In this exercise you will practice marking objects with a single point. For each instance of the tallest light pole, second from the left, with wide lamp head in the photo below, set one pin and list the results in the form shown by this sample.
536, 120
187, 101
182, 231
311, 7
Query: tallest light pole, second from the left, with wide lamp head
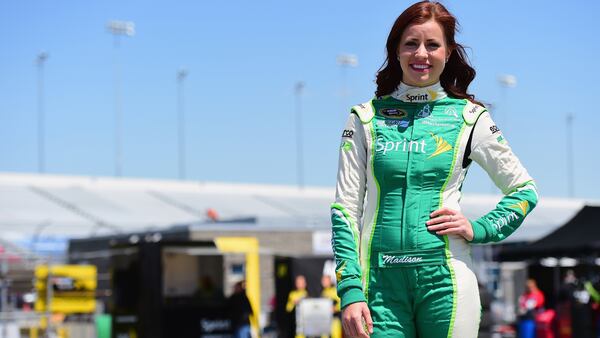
117, 29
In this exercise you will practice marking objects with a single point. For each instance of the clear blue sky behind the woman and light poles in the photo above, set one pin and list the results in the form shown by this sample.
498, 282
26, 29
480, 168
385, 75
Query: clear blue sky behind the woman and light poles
244, 58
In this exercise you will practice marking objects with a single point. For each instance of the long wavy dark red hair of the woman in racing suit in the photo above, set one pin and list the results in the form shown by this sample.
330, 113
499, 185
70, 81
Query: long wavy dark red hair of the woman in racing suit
457, 74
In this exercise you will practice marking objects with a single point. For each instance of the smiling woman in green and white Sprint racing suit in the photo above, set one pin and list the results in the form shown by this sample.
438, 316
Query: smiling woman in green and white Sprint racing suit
400, 240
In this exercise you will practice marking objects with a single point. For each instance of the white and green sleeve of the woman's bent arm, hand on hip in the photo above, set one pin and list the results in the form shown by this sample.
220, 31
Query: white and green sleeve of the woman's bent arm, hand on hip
491, 151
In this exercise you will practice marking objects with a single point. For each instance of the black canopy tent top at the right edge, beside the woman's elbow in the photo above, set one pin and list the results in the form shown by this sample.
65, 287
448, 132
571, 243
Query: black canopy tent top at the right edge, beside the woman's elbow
578, 238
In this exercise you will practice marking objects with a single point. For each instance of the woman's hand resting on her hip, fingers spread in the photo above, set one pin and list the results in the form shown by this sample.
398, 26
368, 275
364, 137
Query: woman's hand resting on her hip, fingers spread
450, 222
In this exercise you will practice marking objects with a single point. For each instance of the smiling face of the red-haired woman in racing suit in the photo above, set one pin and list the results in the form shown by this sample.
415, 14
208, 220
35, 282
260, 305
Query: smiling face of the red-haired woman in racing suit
422, 53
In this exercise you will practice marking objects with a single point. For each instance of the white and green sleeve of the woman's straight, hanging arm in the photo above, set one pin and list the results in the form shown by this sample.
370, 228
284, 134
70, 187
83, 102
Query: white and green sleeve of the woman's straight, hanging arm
346, 212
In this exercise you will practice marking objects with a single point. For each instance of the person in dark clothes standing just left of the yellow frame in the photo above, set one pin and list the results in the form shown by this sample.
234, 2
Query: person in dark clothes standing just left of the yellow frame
240, 311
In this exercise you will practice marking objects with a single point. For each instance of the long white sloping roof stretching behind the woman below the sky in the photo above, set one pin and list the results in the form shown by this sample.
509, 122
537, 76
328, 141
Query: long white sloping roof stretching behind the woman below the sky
33, 205
